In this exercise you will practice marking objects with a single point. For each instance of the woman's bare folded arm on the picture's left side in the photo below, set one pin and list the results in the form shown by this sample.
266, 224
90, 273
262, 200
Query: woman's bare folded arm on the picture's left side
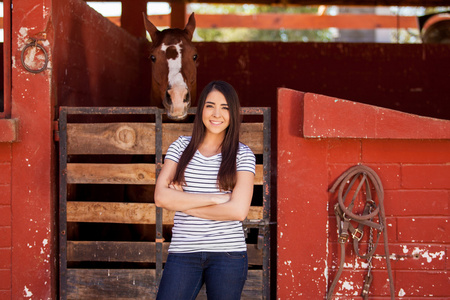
173, 199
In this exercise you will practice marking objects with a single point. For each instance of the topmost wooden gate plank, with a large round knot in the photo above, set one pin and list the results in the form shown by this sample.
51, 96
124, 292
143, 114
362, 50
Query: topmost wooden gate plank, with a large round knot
139, 138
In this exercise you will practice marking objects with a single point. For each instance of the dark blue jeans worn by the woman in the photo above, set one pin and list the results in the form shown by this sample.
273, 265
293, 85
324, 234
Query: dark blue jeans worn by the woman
224, 274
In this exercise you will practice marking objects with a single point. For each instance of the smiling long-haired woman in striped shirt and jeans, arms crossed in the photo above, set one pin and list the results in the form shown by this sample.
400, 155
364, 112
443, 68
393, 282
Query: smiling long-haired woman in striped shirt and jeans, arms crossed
208, 180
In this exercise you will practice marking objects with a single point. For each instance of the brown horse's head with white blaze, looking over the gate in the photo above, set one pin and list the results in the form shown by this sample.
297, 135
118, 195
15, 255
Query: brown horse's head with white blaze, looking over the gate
174, 67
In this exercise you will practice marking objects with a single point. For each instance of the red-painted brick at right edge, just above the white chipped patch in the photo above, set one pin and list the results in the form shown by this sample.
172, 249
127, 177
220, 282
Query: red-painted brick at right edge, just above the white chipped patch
423, 229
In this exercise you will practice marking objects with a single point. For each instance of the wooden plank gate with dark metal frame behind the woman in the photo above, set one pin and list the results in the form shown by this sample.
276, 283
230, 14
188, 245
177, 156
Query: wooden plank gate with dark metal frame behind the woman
98, 147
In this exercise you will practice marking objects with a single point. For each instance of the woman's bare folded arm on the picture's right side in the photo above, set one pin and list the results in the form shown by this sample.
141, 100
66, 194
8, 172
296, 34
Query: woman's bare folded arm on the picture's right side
235, 209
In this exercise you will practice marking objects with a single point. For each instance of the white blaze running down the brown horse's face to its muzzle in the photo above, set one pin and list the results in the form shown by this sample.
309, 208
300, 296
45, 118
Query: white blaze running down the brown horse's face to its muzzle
176, 100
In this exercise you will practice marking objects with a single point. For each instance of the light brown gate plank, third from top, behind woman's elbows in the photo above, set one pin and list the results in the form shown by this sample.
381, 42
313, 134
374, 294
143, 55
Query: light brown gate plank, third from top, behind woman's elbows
127, 213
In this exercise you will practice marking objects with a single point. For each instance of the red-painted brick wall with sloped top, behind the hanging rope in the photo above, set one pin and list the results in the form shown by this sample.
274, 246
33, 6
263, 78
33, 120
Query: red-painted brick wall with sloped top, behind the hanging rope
319, 138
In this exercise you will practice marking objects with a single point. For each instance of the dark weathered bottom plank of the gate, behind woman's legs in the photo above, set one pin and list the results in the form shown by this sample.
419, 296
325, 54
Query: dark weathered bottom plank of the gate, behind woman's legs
134, 284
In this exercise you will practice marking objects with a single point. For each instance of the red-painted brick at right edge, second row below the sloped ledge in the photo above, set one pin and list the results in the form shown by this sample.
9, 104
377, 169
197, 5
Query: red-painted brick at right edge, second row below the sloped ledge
426, 176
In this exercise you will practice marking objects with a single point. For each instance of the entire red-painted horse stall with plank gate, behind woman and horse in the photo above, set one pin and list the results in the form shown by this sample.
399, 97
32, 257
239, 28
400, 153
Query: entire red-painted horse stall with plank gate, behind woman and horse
77, 95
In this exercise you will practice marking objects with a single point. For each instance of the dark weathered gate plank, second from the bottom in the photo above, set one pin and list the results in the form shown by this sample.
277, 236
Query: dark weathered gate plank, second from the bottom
136, 252
